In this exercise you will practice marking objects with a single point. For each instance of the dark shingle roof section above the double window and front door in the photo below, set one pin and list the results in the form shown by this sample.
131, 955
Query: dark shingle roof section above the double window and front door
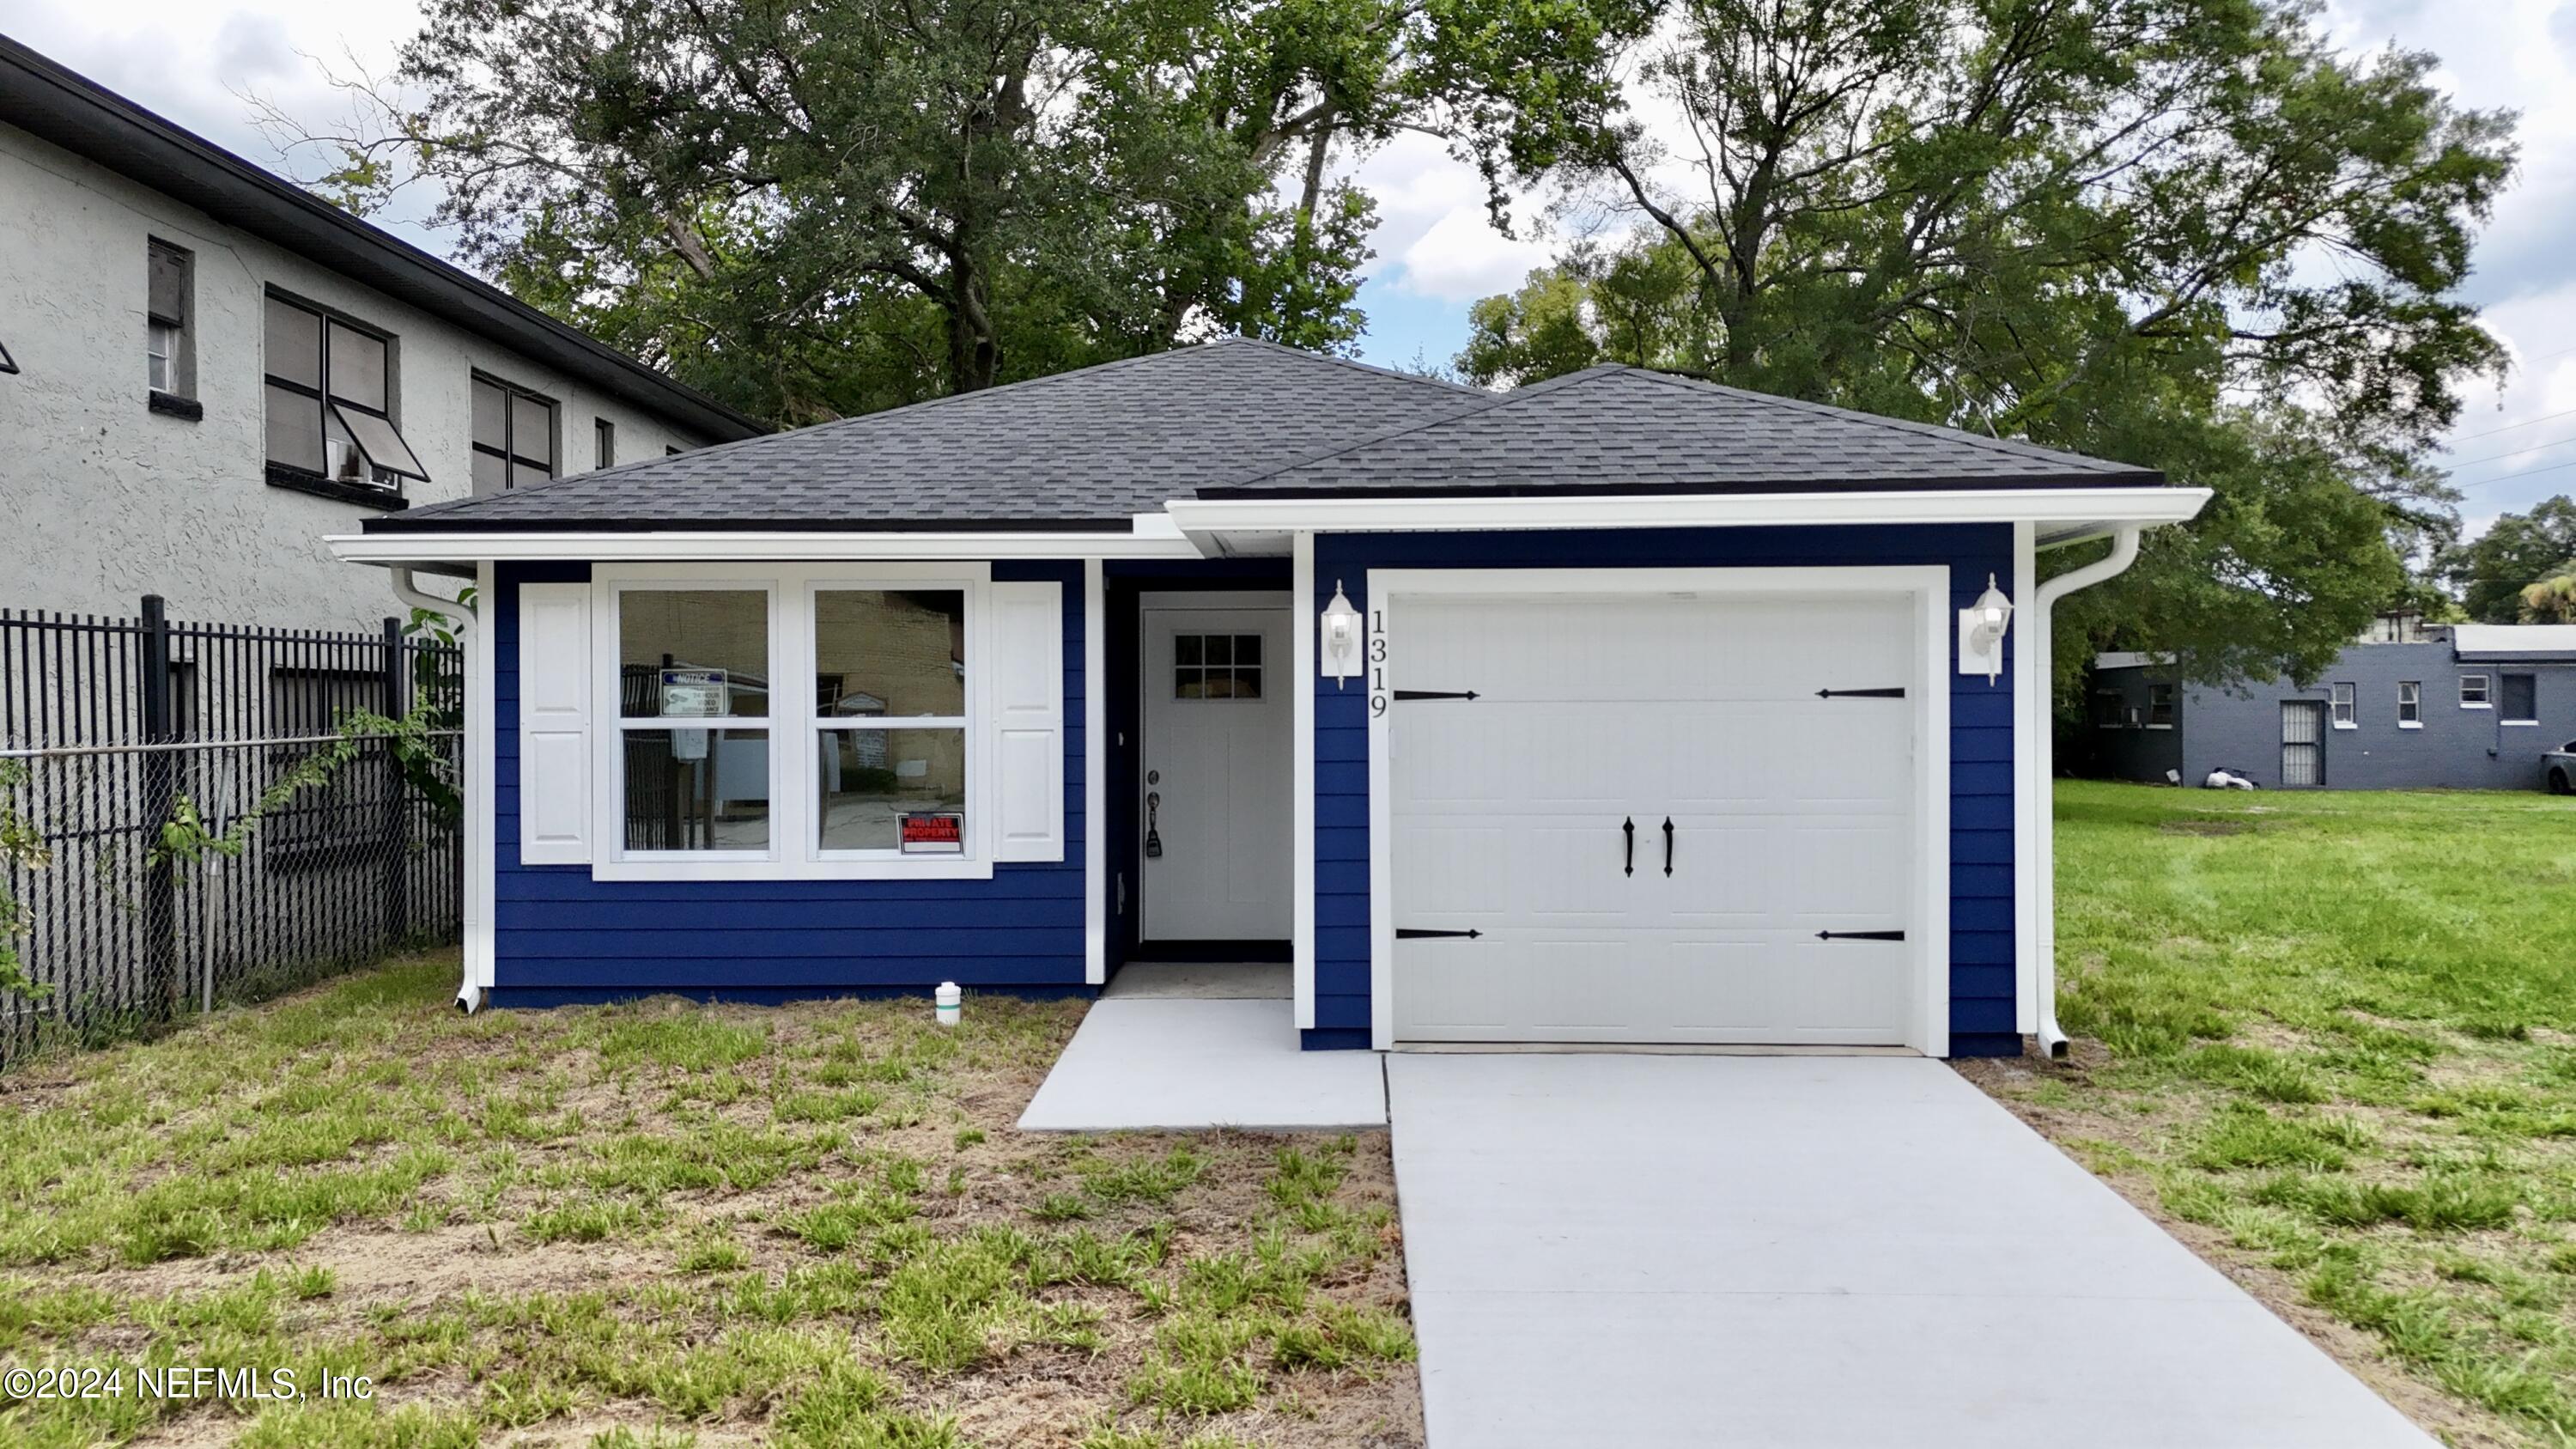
1078, 450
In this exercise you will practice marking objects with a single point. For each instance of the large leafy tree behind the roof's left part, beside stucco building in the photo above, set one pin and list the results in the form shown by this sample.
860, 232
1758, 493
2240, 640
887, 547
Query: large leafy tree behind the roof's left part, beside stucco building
823, 208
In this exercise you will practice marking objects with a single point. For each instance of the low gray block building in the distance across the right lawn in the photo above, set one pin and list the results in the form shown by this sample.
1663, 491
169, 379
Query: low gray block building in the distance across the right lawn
2415, 708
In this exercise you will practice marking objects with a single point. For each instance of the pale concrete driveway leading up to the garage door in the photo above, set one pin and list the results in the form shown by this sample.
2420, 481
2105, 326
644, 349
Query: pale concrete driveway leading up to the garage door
1835, 1252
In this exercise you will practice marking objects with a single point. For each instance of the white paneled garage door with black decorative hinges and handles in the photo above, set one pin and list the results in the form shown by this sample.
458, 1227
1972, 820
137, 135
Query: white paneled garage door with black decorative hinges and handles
1650, 826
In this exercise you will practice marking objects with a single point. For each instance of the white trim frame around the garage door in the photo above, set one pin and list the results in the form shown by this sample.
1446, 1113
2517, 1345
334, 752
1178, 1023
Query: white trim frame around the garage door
1931, 690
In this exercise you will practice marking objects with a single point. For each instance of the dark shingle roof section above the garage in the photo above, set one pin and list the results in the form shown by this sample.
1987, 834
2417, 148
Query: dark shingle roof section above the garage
1627, 429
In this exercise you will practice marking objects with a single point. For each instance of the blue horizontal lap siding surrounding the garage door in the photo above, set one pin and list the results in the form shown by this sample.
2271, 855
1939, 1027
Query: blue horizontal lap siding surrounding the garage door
1982, 971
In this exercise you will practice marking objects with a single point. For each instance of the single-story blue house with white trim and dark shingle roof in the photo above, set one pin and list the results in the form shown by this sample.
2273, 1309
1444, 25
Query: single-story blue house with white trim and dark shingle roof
1614, 710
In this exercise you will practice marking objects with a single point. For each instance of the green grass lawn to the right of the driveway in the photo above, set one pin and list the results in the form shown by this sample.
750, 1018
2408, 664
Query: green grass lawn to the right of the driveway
2333, 1040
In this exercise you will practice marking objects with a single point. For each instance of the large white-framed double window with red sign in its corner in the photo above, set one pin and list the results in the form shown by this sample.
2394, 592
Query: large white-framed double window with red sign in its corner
792, 723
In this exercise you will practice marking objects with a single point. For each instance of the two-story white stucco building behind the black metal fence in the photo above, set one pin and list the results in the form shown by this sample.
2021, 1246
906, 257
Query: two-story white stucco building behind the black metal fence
207, 373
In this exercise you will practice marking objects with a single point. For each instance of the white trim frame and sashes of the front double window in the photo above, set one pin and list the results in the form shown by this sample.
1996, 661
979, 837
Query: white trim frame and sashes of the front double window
790, 723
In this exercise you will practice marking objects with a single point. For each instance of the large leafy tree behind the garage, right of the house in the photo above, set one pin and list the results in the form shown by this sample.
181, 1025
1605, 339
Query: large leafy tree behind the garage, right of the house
2175, 233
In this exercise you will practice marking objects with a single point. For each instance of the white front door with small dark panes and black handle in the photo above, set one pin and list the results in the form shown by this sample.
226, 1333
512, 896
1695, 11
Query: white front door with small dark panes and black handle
1217, 795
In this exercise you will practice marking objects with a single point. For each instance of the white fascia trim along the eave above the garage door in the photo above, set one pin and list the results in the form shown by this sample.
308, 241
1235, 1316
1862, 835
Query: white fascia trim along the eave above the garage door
2085, 507
